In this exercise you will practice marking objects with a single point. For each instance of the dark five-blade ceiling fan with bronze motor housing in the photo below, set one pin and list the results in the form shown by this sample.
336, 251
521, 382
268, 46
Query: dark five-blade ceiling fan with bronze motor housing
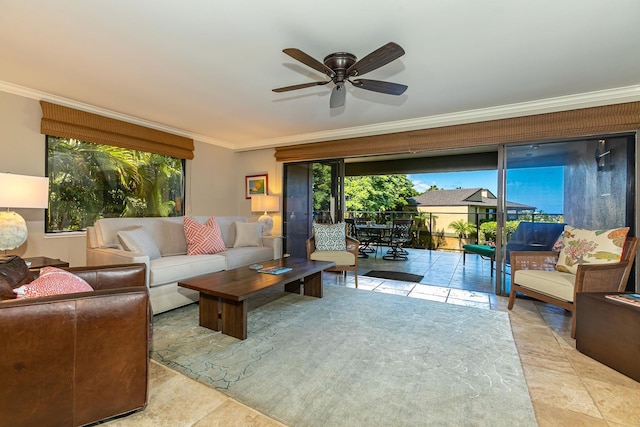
342, 66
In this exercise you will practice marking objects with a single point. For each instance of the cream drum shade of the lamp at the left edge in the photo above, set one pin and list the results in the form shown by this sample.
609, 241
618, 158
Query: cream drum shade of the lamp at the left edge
23, 191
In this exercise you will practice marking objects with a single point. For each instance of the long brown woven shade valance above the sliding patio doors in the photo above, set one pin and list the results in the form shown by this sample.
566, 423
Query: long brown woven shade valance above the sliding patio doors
559, 125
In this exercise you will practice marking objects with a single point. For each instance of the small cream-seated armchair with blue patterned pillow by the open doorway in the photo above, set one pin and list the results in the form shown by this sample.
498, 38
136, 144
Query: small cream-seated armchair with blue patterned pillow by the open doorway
331, 243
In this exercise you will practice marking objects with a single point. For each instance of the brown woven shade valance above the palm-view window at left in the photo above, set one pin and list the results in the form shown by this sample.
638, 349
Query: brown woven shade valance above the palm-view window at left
67, 122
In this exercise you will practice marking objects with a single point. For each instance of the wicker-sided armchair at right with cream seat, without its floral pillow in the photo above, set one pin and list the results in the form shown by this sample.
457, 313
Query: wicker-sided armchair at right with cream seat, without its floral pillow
536, 274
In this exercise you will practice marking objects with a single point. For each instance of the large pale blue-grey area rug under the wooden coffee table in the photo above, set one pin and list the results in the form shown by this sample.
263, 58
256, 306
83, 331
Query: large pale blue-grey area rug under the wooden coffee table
358, 358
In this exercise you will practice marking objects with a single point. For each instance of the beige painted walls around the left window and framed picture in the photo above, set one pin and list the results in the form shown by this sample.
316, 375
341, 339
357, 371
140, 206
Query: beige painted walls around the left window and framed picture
215, 178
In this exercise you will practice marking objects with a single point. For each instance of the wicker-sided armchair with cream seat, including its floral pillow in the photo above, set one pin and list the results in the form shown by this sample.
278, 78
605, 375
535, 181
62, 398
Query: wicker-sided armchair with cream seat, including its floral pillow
589, 261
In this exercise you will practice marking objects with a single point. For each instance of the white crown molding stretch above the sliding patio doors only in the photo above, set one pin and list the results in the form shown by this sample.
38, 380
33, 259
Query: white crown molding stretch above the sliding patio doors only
529, 108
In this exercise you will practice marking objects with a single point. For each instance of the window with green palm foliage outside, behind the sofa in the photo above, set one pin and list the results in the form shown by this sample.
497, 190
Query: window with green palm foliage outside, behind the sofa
91, 181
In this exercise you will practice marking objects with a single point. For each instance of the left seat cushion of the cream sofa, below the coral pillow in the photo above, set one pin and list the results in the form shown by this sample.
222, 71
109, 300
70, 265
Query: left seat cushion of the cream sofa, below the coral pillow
171, 269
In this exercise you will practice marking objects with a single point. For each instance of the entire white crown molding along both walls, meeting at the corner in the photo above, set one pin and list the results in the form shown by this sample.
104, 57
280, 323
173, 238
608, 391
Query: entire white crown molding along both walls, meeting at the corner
541, 106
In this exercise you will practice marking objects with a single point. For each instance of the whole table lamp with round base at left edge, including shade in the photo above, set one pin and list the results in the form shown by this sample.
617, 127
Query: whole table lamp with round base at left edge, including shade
19, 191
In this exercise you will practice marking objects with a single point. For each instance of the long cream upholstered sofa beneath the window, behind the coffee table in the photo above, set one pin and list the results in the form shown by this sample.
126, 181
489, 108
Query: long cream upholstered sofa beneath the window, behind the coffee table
166, 256
